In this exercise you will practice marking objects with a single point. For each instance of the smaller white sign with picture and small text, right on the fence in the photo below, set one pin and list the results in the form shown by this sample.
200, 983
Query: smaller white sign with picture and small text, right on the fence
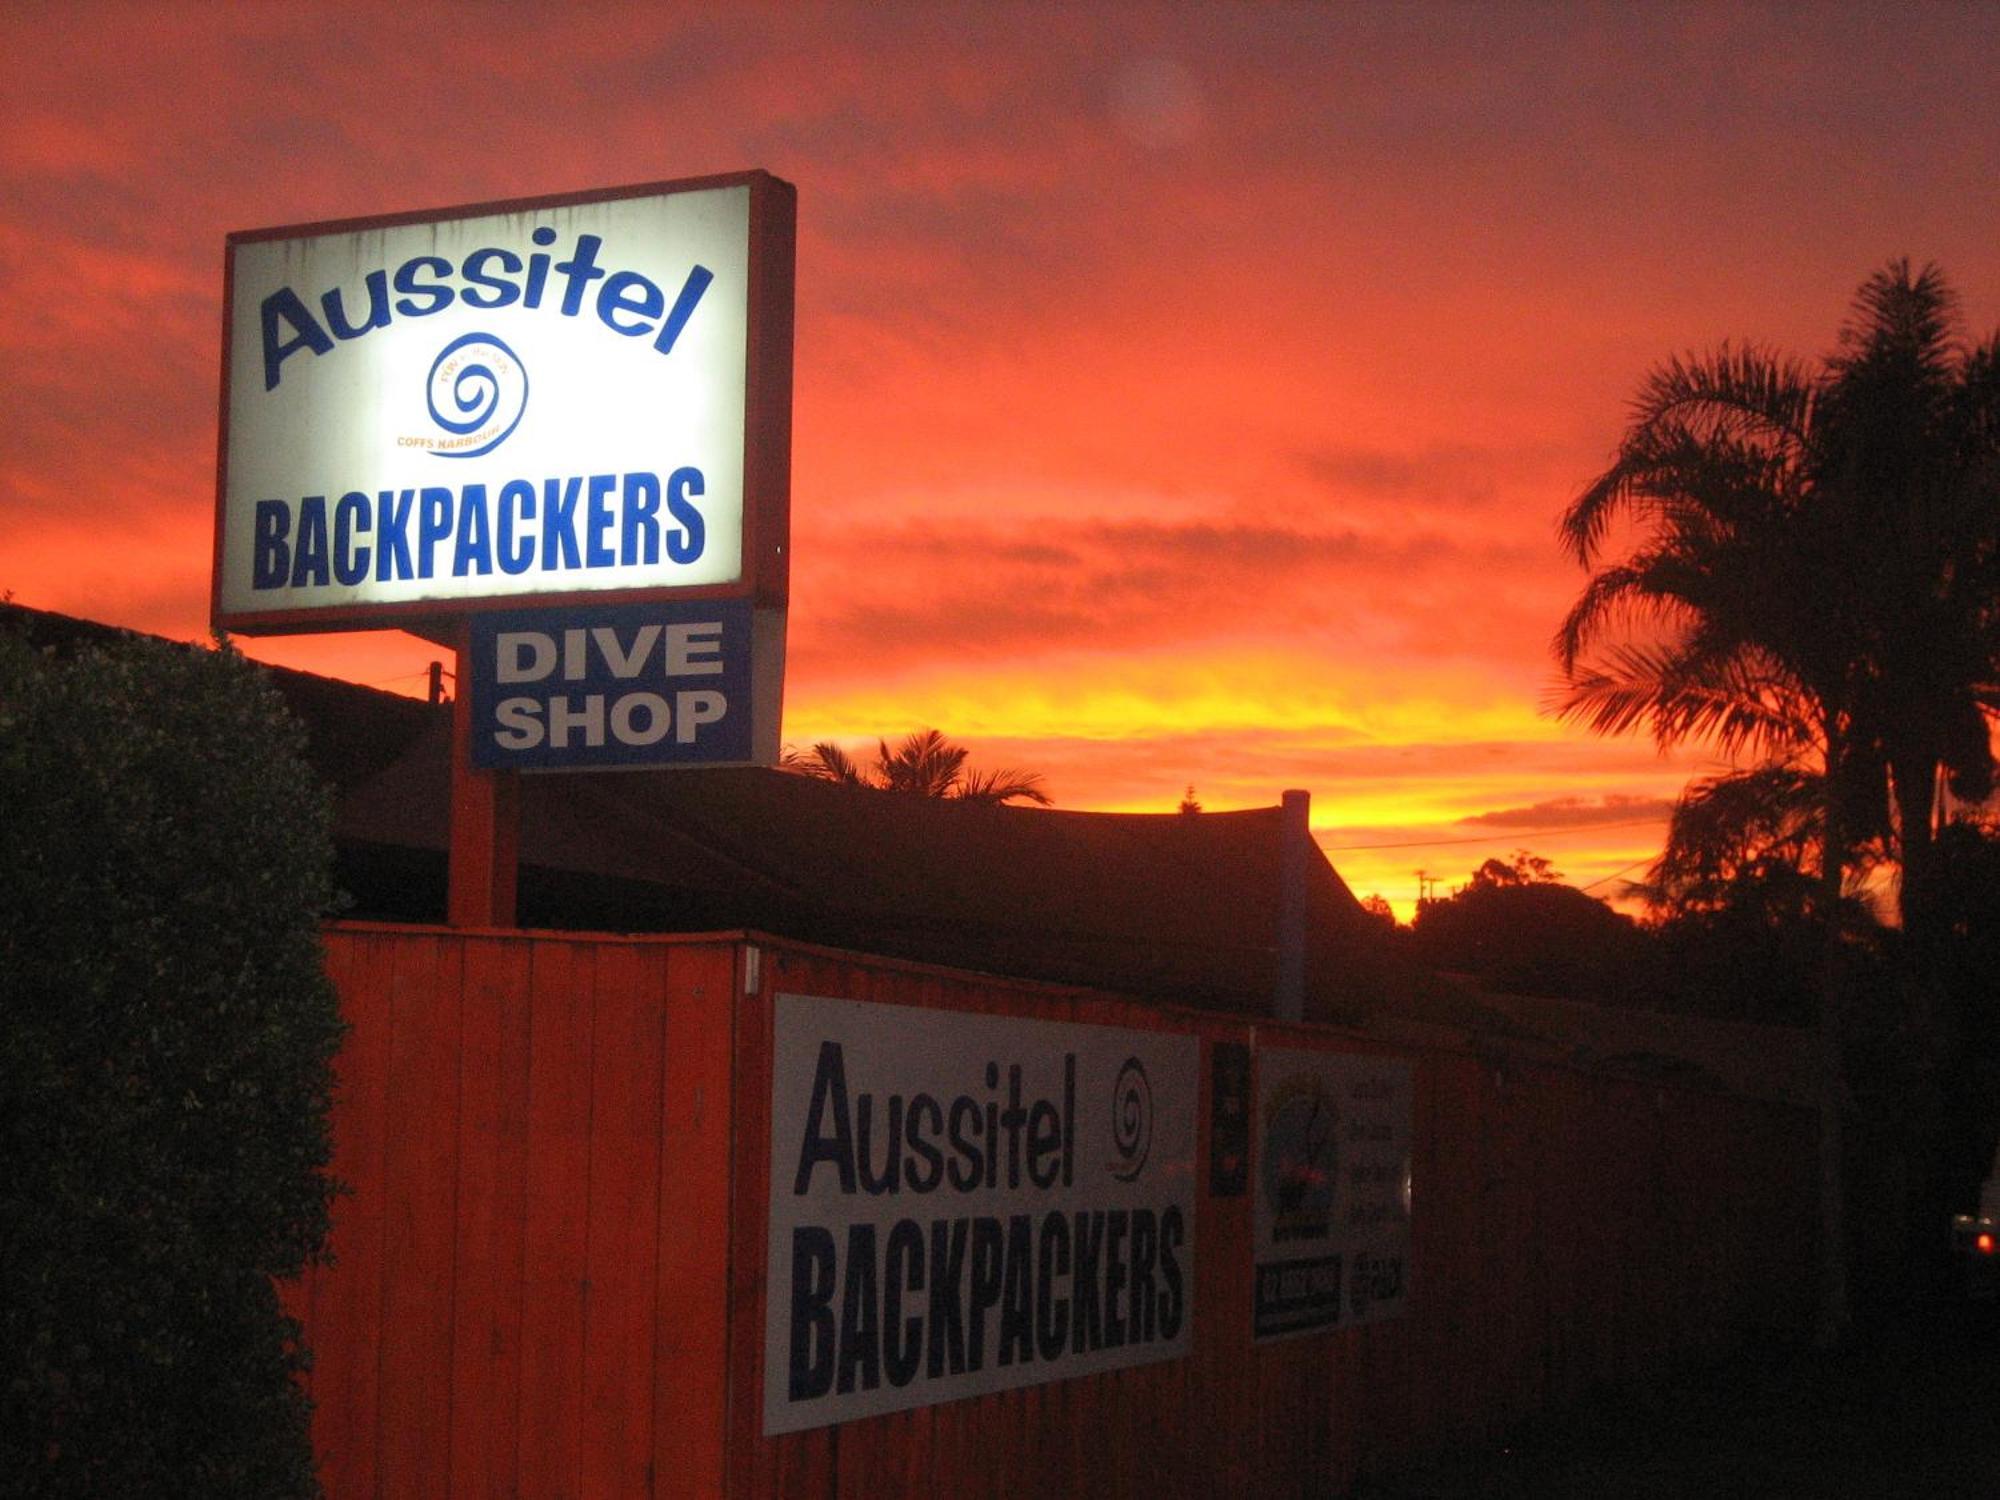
1333, 1191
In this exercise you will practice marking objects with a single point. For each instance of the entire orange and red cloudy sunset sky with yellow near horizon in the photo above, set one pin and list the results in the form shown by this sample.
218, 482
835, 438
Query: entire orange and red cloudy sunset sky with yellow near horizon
1183, 395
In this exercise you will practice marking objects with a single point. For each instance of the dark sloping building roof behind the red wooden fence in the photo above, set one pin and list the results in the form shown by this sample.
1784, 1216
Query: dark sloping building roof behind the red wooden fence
1177, 907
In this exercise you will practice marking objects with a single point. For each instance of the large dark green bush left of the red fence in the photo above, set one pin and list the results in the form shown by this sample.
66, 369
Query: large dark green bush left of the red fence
167, 1037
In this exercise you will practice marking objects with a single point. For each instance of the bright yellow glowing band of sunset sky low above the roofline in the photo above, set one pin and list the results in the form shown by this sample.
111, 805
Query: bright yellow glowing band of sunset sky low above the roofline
1249, 727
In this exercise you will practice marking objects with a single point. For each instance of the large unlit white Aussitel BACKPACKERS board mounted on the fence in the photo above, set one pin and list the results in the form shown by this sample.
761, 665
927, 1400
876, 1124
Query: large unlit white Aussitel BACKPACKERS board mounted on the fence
963, 1205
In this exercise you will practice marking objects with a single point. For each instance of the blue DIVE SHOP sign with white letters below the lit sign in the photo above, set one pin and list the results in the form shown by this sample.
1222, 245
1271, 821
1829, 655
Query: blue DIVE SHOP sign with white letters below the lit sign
617, 687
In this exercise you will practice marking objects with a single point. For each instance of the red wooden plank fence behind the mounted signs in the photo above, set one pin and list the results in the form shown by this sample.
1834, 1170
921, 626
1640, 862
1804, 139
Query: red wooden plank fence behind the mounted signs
549, 1271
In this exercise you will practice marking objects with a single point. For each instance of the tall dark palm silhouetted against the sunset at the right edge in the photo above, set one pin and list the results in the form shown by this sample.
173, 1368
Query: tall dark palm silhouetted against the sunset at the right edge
1813, 585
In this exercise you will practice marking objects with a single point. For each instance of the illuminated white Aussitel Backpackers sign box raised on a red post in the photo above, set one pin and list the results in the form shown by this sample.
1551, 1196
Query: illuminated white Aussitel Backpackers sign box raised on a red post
437, 415
